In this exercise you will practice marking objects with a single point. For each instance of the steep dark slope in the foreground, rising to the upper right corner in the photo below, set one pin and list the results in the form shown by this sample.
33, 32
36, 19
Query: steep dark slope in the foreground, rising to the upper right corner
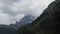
47, 23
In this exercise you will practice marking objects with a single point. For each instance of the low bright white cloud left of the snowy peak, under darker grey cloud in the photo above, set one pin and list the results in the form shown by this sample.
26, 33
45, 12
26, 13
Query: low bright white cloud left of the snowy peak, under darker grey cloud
6, 19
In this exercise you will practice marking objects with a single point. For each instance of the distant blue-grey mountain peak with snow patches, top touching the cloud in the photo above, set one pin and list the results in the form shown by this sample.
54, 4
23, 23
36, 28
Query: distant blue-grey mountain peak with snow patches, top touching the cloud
25, 20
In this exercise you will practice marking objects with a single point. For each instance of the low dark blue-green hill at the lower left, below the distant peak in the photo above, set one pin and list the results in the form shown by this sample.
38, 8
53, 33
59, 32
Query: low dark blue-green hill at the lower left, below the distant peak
5, 29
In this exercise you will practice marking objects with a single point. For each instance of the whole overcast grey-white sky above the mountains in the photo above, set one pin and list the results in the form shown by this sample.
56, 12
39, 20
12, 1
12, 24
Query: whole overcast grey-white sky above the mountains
13, 10
